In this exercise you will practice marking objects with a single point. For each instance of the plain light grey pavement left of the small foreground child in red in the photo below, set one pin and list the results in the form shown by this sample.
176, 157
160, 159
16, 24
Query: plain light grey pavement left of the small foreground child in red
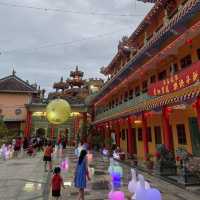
23, 179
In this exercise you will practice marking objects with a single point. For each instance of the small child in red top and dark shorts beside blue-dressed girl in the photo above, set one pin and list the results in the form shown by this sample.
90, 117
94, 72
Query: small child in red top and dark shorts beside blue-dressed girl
56, 183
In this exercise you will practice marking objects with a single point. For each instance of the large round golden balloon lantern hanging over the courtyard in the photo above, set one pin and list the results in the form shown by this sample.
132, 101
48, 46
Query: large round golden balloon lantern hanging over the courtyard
58, 111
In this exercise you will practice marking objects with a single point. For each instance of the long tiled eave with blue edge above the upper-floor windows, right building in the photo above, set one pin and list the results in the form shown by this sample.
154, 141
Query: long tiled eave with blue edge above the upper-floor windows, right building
189, 8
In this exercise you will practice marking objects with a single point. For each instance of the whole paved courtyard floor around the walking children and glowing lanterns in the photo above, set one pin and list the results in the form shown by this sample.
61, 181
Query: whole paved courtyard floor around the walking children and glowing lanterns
25, 179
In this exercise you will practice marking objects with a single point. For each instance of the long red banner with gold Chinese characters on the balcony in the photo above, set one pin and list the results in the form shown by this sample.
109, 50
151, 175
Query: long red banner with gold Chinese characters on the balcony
176, 82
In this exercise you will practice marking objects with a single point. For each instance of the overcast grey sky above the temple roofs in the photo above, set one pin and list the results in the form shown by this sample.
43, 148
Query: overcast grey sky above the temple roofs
45, 39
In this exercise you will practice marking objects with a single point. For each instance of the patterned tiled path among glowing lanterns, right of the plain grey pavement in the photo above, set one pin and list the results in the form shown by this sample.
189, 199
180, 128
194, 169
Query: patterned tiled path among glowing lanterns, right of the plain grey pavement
98, 188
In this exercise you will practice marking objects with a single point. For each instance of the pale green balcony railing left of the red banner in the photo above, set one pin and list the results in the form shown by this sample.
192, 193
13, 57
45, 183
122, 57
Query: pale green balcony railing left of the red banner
124, 106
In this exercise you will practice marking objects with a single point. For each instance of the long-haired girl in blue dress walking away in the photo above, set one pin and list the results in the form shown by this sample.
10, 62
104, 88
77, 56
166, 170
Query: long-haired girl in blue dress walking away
81, 173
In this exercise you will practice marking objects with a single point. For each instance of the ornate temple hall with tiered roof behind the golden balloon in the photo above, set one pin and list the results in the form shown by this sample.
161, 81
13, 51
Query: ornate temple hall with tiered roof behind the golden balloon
75, 90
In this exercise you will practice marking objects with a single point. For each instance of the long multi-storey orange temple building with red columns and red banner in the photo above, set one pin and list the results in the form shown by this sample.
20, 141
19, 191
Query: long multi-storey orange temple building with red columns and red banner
152, 95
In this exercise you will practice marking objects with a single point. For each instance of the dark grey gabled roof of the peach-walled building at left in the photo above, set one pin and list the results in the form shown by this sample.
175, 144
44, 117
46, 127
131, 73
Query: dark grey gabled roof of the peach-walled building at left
13, 83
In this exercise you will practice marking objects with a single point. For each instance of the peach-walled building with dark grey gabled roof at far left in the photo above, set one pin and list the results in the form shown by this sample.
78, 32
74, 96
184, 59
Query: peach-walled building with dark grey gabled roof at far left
15, 94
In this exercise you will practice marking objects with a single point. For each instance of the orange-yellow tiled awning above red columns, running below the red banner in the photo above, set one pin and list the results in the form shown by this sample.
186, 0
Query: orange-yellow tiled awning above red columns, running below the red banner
172, 99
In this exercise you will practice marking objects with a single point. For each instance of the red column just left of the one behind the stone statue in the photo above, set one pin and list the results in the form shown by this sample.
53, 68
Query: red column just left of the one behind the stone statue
145, 135
